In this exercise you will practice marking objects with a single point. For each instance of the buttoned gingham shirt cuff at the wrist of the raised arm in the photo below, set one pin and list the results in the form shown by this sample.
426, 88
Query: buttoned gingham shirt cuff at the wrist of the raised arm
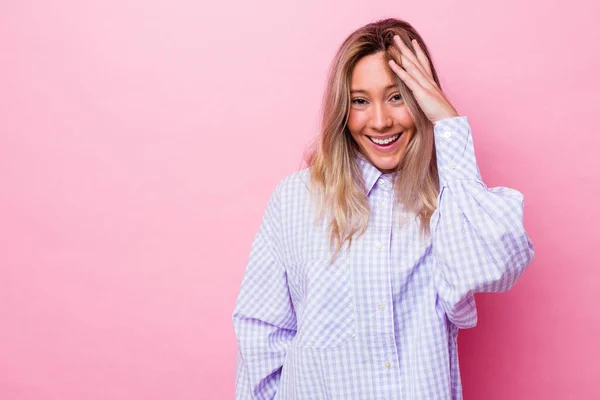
454, 150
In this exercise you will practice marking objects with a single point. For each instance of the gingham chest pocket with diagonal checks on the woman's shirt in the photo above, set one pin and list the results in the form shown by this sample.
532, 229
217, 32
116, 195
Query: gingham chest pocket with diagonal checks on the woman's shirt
325, 309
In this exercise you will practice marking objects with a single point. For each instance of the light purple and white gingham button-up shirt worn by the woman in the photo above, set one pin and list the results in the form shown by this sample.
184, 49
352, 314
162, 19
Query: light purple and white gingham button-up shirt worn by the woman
381, 321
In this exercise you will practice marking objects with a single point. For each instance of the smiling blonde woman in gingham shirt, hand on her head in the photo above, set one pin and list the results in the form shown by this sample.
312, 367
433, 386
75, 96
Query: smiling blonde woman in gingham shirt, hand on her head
365, 264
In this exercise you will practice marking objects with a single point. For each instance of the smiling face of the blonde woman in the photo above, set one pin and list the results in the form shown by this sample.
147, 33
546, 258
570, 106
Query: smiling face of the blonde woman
378, 113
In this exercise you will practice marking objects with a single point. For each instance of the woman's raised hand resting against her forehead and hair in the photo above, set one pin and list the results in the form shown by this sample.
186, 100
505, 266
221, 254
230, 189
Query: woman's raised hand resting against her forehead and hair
415, 73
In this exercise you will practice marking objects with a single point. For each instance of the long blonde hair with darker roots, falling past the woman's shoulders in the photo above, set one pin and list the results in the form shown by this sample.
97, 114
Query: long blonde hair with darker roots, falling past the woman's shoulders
336, 179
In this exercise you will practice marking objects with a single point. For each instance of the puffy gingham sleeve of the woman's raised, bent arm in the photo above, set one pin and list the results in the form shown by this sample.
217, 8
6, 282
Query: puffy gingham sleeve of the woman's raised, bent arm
478, 239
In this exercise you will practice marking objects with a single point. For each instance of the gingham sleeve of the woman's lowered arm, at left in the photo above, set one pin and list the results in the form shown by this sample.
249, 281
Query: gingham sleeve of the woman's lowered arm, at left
264, 319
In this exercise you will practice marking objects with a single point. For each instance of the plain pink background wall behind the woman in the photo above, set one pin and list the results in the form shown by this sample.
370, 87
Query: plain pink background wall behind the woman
140, 140
